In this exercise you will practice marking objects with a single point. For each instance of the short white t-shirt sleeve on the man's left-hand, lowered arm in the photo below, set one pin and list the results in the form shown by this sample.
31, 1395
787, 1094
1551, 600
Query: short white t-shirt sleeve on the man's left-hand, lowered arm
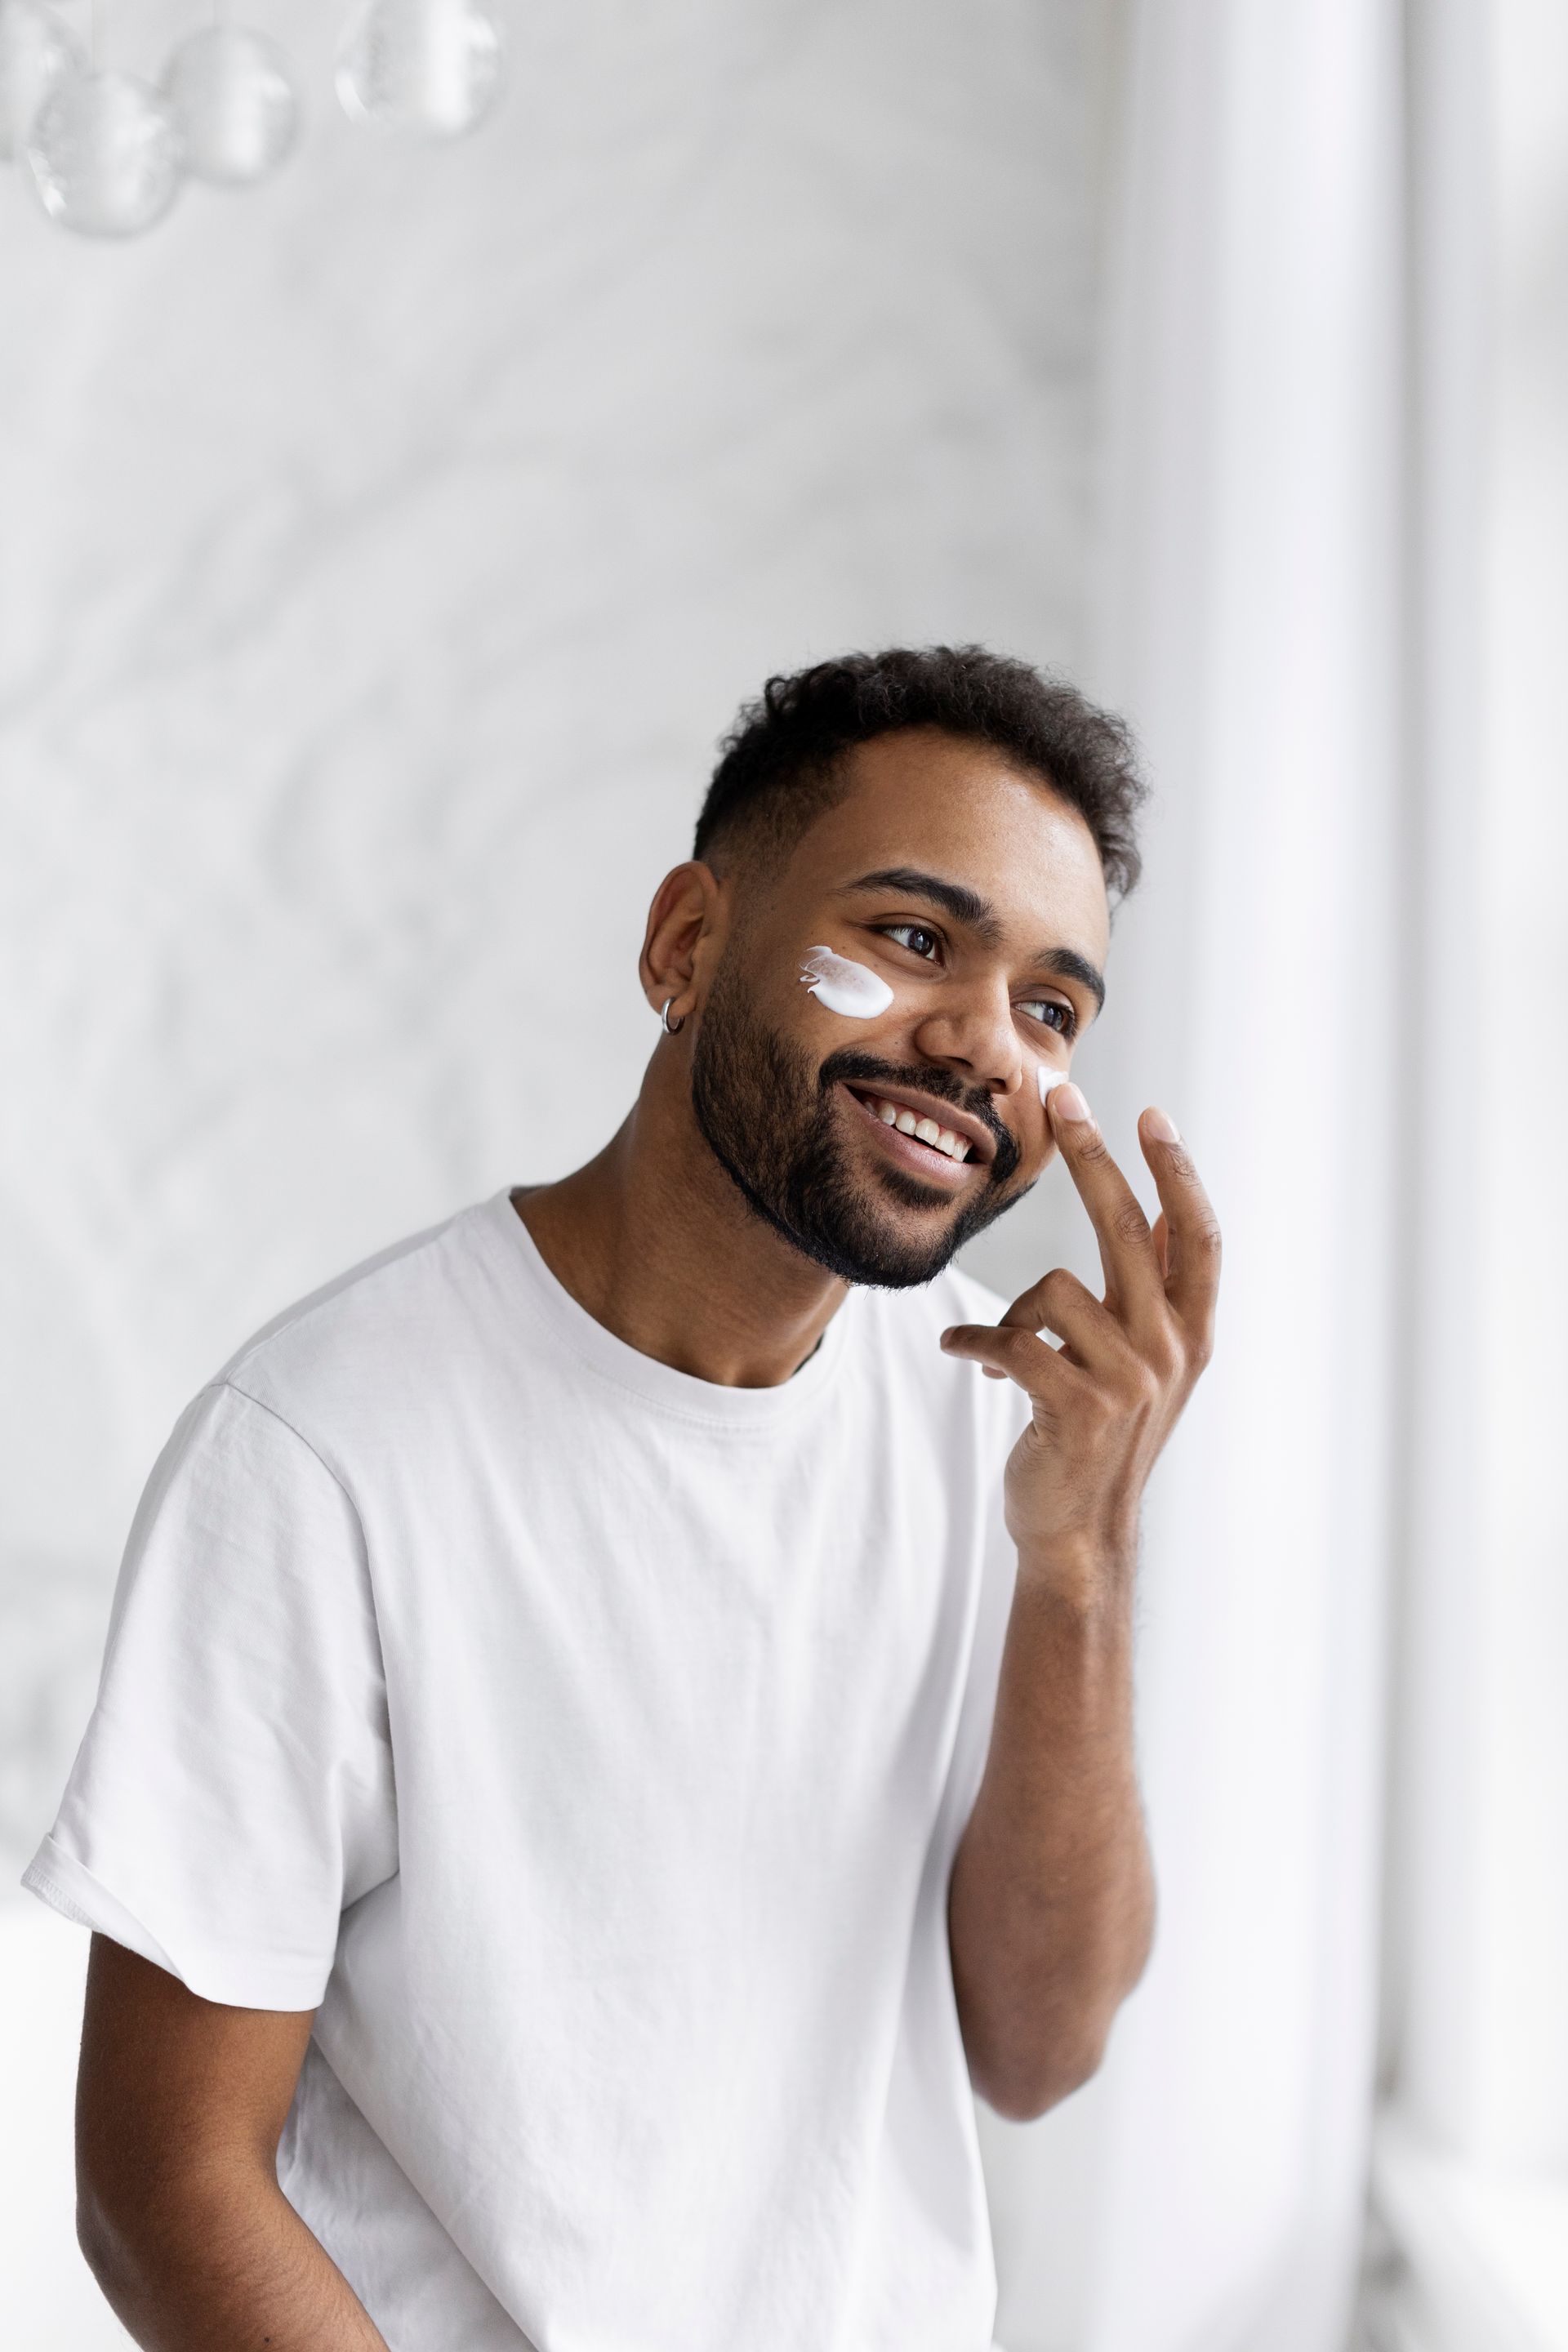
234, 1791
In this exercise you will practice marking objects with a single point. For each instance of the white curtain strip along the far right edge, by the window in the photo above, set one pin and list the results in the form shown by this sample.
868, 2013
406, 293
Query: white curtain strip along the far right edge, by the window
1473, 2146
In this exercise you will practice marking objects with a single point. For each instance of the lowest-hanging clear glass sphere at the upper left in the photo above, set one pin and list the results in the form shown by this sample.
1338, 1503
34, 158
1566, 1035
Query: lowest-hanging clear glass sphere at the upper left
105, 154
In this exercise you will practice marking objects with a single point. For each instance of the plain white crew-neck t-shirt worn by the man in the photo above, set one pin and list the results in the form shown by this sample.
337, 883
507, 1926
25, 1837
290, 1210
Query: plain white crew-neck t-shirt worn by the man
589, 1746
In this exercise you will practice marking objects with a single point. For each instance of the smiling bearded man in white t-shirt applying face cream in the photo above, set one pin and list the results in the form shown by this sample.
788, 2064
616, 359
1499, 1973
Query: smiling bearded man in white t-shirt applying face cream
610, 1723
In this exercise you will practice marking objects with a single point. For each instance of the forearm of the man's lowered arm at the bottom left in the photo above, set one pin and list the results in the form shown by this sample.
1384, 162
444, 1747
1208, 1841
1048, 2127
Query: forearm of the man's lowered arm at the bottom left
222, 2259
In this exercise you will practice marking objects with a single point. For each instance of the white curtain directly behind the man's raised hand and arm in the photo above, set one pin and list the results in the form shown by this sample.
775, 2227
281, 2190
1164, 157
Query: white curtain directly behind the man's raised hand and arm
1207, 2193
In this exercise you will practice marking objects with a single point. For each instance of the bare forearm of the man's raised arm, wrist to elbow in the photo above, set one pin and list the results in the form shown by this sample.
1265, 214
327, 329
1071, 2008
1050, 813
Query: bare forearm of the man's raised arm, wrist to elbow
1052, 1902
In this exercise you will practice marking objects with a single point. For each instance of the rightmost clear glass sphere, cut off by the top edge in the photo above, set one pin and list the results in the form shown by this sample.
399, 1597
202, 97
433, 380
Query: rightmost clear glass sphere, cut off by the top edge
420, 65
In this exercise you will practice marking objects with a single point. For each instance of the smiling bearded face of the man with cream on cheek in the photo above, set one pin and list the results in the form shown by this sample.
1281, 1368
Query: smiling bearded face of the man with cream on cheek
979, 902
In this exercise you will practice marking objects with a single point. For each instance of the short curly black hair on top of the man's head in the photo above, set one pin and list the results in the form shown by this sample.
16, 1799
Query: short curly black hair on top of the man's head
782, 763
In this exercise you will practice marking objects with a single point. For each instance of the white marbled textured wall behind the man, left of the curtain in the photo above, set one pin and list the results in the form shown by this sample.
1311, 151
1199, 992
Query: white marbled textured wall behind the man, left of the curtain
380, 559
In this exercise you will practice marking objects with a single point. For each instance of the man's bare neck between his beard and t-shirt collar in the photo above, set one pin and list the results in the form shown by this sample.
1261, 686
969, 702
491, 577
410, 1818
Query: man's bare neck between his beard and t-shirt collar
655, 1241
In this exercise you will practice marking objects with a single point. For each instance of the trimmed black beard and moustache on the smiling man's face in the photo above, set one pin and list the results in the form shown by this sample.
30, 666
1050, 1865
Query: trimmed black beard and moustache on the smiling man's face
770, 1123
